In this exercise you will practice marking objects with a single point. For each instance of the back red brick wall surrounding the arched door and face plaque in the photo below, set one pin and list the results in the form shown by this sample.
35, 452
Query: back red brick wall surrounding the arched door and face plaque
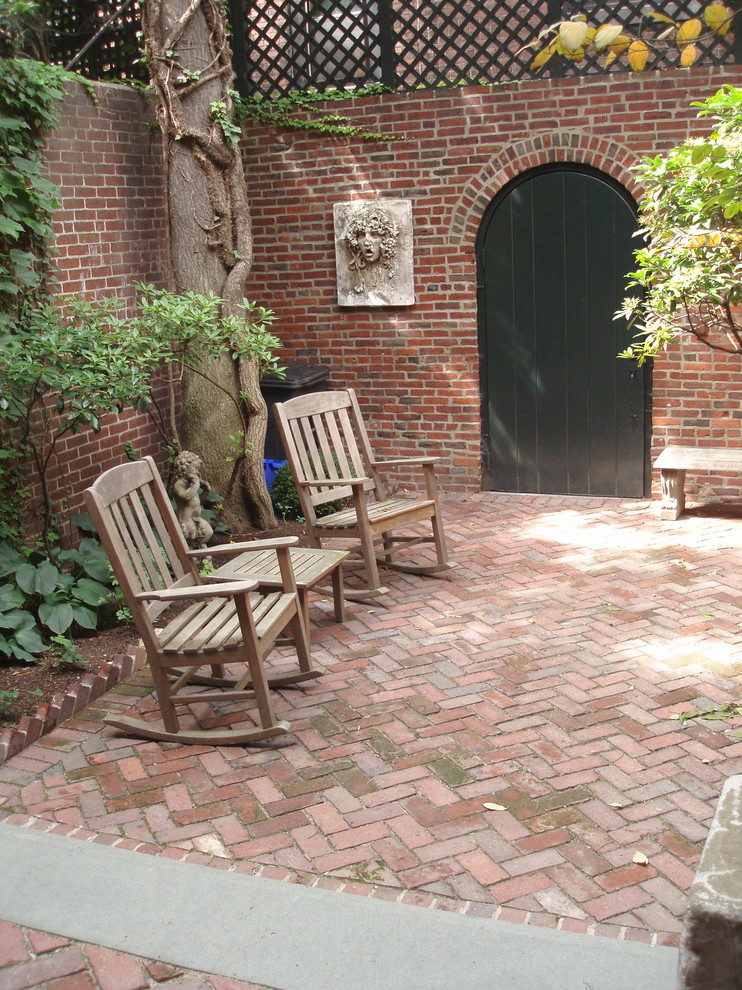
417, 368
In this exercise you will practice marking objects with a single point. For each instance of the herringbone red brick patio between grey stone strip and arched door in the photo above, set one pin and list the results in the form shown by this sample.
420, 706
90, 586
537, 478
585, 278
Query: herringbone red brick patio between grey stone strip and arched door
495, 741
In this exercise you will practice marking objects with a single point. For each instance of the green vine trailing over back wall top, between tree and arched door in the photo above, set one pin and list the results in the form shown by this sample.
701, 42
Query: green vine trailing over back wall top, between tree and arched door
283, 111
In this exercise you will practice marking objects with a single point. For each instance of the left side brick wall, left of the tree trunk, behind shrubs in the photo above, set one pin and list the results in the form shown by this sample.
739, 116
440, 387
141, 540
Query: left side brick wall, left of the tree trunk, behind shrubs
110, 233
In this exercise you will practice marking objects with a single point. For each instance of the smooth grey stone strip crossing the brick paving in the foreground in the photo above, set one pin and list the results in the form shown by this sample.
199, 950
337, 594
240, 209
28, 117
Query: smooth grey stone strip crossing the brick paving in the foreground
292, 937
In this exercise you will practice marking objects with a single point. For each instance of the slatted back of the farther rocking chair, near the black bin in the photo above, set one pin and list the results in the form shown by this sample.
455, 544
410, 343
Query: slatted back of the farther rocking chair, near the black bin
325, 439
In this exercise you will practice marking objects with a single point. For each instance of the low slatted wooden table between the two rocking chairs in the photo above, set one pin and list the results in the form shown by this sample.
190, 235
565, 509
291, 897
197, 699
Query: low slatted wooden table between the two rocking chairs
310, 568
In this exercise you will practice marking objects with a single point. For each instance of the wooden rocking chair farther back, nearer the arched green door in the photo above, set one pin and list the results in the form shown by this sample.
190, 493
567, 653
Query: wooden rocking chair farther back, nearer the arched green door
330, 457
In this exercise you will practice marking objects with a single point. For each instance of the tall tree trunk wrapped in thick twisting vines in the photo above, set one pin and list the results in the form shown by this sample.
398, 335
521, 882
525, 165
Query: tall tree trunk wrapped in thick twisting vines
190, 65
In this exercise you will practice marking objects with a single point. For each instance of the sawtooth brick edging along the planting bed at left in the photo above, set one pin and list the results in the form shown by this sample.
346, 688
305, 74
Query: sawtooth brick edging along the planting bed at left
64, 705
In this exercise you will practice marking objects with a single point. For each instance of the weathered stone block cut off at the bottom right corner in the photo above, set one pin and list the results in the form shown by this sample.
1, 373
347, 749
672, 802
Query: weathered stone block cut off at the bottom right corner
711, 943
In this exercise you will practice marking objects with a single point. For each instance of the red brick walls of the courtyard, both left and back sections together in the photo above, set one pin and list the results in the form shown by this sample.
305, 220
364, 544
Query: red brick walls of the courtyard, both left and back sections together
416, 368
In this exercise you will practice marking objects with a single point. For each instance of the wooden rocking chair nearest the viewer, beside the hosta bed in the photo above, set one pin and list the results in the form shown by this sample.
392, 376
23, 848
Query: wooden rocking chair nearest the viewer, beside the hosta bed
214, 625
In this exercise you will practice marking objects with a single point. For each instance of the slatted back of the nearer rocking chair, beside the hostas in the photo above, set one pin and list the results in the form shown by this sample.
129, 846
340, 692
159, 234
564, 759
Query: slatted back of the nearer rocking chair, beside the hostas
140, 532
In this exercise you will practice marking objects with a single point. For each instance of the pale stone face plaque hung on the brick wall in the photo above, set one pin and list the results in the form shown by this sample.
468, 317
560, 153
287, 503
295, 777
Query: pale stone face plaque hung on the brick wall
373, 252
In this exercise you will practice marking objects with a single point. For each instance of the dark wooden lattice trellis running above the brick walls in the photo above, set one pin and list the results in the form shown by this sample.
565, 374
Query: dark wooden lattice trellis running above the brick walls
282, 46
